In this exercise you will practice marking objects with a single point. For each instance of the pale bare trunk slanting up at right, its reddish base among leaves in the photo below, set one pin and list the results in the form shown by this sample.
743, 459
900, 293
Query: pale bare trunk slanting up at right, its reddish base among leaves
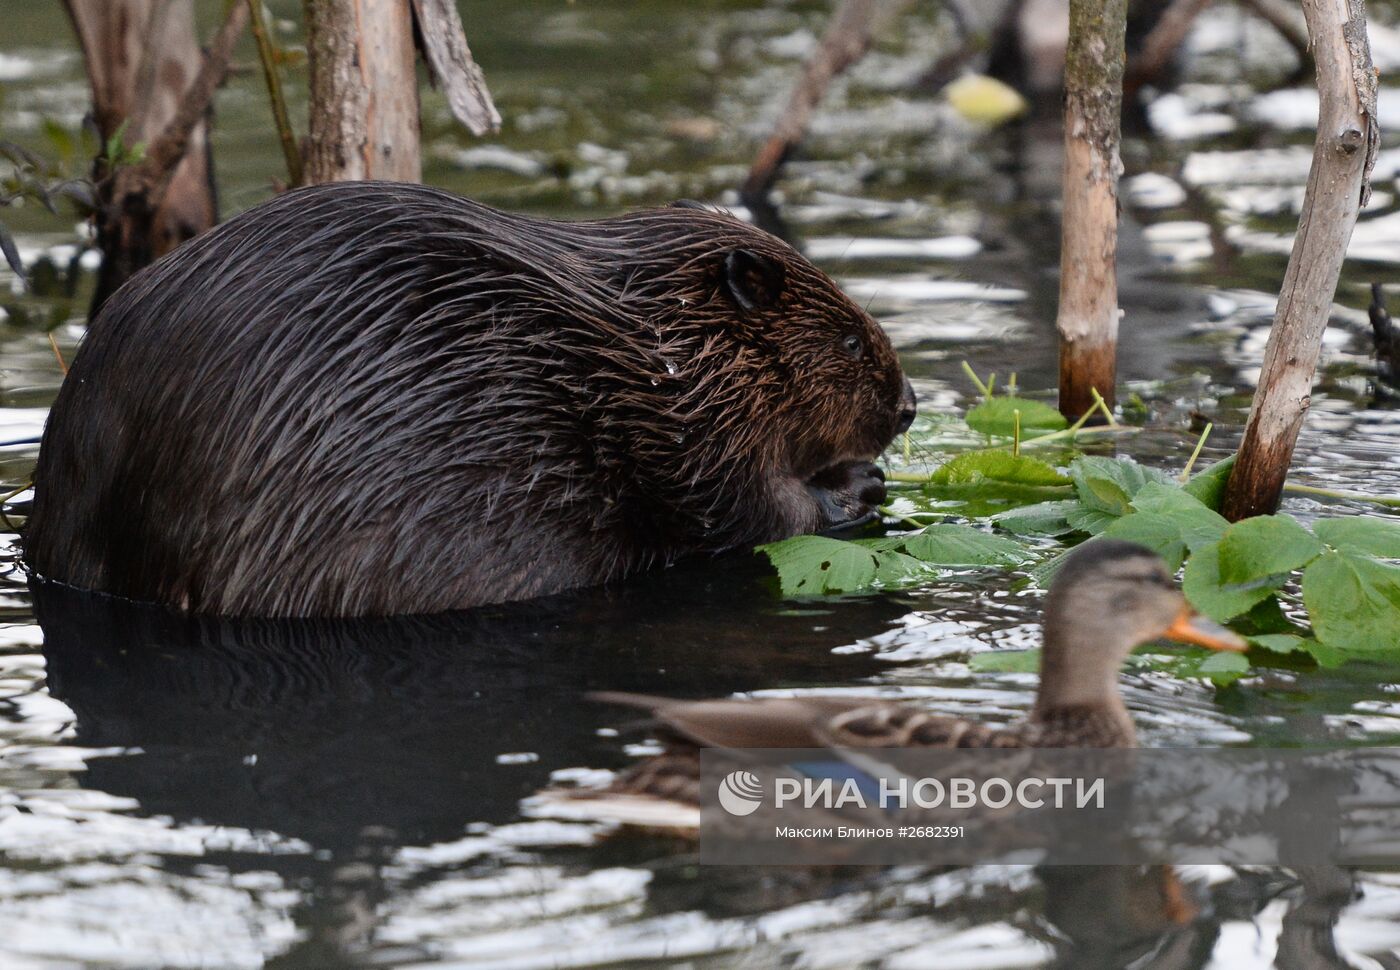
1338, 188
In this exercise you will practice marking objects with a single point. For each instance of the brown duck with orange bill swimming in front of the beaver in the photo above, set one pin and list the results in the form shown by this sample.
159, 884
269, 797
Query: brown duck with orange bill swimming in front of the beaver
1108, 598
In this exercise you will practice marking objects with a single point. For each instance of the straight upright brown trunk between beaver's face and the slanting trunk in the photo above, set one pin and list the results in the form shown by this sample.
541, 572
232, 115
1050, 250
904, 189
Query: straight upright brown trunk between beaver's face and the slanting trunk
1088, 320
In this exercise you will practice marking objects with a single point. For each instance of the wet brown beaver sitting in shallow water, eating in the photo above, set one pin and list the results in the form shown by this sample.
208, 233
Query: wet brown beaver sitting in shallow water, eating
381, 398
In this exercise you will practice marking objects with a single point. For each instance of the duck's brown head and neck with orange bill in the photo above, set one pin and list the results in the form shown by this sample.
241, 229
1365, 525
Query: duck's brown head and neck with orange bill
1108, 598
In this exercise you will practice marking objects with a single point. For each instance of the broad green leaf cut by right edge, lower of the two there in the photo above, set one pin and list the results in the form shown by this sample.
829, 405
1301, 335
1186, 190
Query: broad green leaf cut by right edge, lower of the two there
1354, 603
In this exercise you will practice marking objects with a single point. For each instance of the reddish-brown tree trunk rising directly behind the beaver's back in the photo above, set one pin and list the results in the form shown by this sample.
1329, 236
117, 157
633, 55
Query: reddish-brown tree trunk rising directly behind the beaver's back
365, 92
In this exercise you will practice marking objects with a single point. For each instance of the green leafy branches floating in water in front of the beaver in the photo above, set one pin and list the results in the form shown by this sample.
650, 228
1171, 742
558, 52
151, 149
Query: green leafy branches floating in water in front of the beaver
1336, 572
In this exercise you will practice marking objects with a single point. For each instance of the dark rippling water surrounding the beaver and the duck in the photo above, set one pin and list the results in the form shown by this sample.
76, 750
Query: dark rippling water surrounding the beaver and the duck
191, 794
